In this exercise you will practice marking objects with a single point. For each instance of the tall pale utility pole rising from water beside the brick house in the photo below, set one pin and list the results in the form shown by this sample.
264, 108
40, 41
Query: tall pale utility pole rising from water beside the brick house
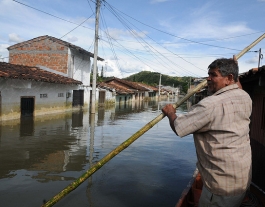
93, 100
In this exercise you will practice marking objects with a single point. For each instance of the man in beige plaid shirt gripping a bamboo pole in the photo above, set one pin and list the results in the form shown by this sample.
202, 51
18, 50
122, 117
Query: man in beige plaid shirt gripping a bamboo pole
220, 127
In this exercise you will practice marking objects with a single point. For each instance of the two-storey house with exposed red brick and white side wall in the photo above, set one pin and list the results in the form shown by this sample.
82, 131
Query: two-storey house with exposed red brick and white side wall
60, 57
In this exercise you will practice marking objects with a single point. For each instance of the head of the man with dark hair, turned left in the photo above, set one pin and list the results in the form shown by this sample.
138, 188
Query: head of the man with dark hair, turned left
222, 72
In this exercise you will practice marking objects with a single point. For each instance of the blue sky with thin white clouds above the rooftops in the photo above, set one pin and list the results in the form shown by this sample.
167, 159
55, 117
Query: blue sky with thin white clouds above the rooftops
171, 37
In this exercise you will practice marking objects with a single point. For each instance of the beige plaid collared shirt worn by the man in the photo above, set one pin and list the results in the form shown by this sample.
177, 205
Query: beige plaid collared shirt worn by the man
220, 126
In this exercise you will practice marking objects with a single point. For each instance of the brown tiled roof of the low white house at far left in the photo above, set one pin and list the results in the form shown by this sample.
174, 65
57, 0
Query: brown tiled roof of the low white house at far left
12, 71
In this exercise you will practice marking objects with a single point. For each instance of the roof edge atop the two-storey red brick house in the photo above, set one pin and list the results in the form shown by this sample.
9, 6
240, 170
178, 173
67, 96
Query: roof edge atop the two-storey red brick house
59, 41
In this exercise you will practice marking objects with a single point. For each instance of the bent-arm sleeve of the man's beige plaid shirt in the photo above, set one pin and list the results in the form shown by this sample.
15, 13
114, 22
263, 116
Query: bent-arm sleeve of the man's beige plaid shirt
196, 120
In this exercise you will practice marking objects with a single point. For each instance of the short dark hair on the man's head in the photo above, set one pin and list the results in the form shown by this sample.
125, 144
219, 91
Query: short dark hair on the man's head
226, 67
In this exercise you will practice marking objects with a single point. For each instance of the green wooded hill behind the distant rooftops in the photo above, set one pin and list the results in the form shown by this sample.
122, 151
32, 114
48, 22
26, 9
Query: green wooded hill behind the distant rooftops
152, 78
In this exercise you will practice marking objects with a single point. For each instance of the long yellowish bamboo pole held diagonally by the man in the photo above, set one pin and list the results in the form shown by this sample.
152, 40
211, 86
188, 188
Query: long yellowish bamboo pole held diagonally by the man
129, 141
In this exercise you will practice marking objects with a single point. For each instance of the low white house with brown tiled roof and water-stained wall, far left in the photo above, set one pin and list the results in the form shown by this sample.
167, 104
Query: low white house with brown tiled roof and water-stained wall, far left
31, 91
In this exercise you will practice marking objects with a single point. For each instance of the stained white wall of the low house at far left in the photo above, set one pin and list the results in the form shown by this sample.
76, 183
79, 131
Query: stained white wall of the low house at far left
12, 90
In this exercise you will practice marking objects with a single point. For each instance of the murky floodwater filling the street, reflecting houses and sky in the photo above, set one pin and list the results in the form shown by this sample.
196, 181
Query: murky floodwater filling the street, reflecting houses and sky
40, 157
